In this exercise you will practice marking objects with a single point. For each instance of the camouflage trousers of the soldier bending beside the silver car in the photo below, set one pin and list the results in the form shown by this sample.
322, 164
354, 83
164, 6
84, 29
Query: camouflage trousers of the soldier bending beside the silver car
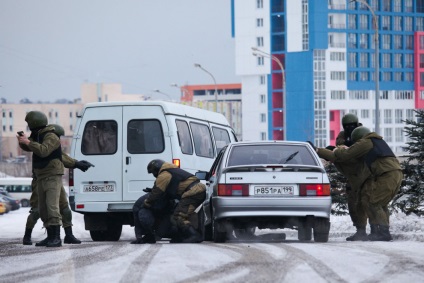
184, 214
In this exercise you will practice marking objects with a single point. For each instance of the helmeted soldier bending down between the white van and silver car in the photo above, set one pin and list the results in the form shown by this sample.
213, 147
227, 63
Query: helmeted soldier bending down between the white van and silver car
174, 183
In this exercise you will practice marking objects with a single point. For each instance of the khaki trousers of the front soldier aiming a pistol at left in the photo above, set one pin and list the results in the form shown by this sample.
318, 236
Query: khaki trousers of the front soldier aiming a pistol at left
48, 190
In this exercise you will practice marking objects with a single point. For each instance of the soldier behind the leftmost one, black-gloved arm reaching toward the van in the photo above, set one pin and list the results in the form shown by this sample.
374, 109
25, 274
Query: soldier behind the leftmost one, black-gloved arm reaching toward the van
65, 211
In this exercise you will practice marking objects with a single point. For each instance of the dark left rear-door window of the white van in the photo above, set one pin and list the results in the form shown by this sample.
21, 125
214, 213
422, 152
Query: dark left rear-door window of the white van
99, 137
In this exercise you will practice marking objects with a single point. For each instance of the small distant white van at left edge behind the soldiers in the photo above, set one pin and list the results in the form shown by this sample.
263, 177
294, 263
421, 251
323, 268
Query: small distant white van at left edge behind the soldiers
18, 188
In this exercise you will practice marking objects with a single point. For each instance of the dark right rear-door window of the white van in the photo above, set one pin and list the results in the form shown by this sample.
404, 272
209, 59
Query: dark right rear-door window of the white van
145, 136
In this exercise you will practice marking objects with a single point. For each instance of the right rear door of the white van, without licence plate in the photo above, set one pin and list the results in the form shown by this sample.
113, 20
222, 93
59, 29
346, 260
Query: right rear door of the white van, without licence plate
146, 137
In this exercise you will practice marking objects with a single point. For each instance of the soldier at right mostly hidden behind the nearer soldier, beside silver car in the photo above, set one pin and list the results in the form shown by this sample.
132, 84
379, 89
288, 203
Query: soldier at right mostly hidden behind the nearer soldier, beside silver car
351, 170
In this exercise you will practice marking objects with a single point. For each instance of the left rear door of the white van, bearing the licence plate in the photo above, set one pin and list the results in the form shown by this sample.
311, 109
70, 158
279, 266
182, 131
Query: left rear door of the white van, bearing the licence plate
99, 141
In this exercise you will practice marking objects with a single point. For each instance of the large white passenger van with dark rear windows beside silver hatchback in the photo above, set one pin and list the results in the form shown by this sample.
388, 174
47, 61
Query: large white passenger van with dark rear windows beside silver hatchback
120, 139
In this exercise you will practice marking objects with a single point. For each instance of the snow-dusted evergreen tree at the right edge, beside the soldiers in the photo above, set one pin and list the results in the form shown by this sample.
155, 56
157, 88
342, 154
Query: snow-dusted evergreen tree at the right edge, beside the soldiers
410, 198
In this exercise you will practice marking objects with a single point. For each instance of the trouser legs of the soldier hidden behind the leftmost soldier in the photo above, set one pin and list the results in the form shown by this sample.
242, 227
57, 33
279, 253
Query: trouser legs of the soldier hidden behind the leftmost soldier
34, 213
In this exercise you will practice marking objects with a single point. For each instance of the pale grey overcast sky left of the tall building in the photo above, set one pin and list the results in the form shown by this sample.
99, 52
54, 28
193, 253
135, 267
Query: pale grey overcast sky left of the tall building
48, 48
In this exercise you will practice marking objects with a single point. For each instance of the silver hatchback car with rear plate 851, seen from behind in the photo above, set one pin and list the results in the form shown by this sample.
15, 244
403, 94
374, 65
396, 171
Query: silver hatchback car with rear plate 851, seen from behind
267, 184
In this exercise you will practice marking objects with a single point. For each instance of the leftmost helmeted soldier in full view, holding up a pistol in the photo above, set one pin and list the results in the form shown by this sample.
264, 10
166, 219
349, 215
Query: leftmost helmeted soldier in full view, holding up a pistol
48, 169
